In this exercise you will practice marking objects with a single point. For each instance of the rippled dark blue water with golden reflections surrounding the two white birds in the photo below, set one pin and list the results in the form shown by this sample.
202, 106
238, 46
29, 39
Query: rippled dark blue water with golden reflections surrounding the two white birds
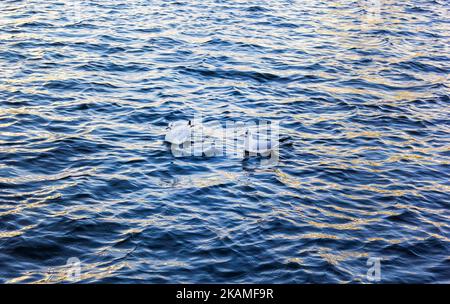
87, 90
